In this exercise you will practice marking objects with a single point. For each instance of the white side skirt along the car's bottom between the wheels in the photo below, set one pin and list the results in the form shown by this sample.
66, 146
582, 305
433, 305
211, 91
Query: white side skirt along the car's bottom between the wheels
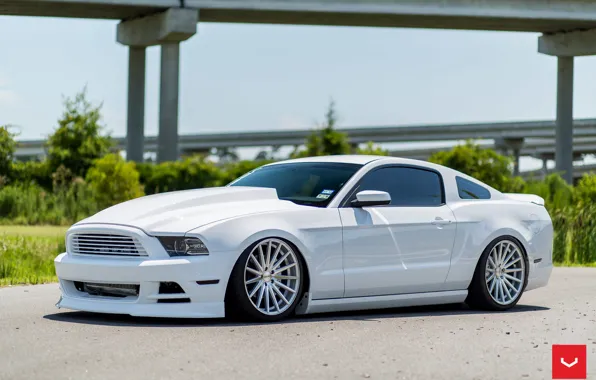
310, 306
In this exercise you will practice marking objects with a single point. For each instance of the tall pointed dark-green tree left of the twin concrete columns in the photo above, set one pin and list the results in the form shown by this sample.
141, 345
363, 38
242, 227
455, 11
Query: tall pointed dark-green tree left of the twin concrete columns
78, 140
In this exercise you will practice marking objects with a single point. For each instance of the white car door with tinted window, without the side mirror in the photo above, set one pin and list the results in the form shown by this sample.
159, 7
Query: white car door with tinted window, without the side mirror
403, 247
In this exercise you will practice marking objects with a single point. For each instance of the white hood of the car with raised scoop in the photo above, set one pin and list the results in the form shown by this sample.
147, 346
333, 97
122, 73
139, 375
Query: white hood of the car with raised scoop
181, 211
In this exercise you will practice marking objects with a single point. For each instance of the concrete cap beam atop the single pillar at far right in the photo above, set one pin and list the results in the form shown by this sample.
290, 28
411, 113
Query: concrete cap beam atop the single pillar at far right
571, 44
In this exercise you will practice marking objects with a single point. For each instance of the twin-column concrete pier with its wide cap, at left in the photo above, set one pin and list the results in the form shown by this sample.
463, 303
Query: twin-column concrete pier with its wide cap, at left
167, 29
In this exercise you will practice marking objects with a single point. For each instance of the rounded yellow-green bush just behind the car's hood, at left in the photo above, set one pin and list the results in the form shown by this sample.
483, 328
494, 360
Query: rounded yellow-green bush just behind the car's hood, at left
114, 180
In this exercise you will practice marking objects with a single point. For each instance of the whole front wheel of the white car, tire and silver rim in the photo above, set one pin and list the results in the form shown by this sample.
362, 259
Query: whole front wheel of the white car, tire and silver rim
267, 280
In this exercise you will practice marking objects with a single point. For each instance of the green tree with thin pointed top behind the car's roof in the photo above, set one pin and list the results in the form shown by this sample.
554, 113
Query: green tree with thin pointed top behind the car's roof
326, 140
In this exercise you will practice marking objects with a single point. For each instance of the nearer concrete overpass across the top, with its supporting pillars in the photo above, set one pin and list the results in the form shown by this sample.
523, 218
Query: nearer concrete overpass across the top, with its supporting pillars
568, 27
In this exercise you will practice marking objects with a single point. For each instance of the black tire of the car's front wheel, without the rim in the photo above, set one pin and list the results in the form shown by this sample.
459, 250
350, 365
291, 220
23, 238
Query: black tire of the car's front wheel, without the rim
238, 304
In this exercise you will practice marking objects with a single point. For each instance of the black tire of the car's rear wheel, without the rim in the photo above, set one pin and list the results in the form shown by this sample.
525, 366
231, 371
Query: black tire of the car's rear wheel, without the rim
478, 291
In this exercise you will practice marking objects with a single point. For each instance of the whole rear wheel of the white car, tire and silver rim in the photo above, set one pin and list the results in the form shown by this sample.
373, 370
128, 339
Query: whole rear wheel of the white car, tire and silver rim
500, 277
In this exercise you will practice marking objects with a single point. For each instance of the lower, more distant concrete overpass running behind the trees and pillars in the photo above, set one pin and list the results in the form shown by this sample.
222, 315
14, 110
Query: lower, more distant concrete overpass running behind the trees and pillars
527, 138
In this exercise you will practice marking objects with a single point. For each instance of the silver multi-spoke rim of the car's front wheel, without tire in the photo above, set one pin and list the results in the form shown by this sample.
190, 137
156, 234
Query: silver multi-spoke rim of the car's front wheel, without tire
272, 276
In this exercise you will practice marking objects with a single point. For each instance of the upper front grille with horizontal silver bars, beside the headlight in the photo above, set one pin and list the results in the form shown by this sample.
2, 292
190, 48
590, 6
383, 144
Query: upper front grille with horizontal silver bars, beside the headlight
104, 244
